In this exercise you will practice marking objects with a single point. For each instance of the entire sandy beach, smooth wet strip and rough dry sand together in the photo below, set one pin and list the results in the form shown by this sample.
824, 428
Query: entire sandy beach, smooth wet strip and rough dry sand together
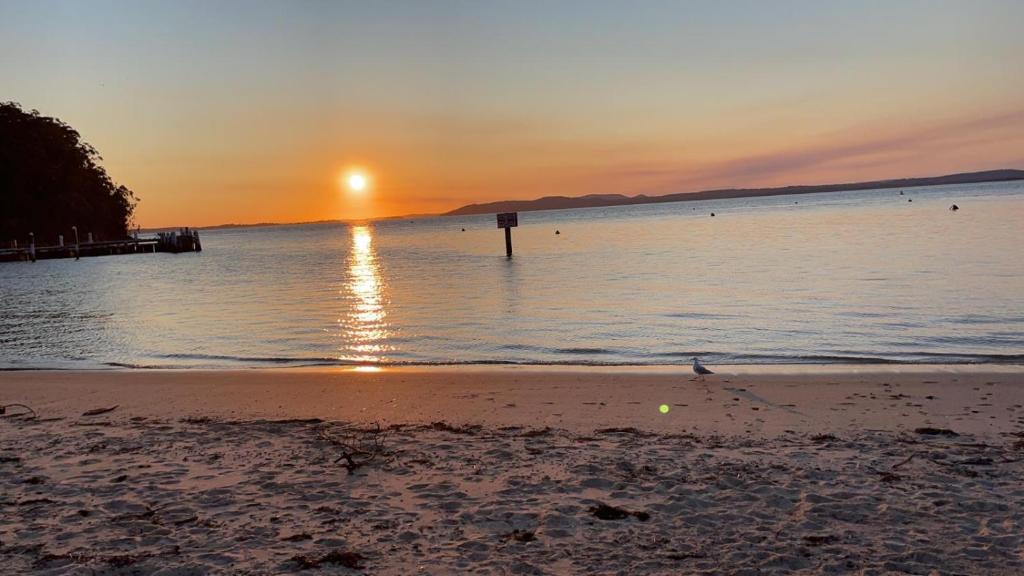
758, 471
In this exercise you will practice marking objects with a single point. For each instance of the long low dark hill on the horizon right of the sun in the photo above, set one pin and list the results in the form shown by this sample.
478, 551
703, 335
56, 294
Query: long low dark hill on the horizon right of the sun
595, 200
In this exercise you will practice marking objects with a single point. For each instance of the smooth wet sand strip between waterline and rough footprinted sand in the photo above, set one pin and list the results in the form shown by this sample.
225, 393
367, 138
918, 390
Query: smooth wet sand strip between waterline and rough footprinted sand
763, 401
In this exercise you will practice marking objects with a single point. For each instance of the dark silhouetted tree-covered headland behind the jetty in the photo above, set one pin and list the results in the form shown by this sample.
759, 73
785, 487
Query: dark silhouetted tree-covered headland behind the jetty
52, 181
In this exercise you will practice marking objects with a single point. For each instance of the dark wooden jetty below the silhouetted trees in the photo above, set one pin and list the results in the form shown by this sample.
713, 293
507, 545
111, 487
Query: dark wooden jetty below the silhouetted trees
183, 240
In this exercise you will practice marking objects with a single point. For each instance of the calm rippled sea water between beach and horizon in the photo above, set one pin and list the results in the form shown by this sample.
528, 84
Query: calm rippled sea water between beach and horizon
862, 276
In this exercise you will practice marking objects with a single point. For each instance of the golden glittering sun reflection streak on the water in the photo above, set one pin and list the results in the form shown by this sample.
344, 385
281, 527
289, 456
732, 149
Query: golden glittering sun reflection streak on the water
365, 327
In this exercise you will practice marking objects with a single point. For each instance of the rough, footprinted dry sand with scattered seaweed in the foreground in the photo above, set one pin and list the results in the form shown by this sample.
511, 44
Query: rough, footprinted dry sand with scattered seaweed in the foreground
214, 497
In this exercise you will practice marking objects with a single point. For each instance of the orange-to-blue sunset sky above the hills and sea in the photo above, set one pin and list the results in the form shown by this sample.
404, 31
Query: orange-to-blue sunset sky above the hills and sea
246, 112
